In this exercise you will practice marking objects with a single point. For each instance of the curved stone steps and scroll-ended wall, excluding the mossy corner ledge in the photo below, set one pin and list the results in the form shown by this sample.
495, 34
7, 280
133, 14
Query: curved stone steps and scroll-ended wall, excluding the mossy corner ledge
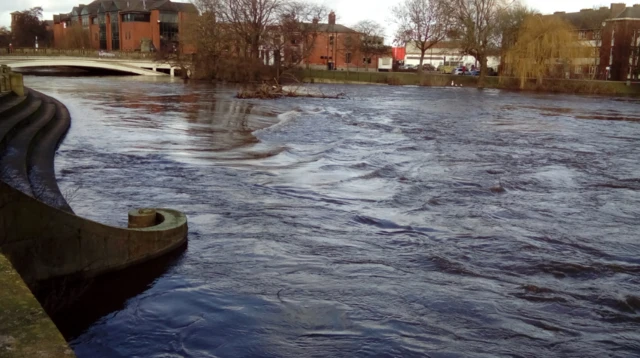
39, 233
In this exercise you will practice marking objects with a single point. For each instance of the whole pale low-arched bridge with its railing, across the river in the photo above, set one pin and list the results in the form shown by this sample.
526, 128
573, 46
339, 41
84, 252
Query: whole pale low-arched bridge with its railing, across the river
145, 67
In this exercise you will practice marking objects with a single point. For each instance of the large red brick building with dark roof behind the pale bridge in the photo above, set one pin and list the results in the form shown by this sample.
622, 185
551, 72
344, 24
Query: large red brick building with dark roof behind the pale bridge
125, 25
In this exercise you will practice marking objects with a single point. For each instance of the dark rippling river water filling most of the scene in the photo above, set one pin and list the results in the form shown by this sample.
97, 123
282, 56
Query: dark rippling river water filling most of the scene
397, 222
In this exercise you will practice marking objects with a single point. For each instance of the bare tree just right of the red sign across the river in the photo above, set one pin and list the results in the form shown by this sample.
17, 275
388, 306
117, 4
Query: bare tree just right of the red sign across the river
421, 23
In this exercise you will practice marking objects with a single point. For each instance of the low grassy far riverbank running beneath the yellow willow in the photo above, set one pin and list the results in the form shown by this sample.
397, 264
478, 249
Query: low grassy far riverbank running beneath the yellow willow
509, 83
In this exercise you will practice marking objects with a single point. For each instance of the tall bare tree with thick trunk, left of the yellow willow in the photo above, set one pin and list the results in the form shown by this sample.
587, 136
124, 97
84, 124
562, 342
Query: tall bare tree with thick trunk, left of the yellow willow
476, 27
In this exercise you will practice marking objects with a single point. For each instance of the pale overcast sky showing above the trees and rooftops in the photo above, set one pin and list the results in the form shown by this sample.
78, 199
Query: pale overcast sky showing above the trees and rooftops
348, 12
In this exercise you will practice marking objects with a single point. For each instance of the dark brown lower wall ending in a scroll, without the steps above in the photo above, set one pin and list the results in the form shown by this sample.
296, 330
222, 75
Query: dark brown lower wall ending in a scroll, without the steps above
44, 243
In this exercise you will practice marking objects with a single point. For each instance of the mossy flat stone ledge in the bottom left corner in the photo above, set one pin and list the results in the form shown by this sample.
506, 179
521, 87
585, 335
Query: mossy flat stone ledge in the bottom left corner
25, 328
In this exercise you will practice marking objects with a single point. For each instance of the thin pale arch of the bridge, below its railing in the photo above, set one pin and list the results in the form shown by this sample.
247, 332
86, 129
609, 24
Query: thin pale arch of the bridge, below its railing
83, 63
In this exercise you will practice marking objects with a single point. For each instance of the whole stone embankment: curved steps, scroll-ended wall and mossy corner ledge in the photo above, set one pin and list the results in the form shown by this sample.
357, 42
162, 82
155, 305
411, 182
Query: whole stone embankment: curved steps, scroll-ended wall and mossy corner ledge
41, 239
